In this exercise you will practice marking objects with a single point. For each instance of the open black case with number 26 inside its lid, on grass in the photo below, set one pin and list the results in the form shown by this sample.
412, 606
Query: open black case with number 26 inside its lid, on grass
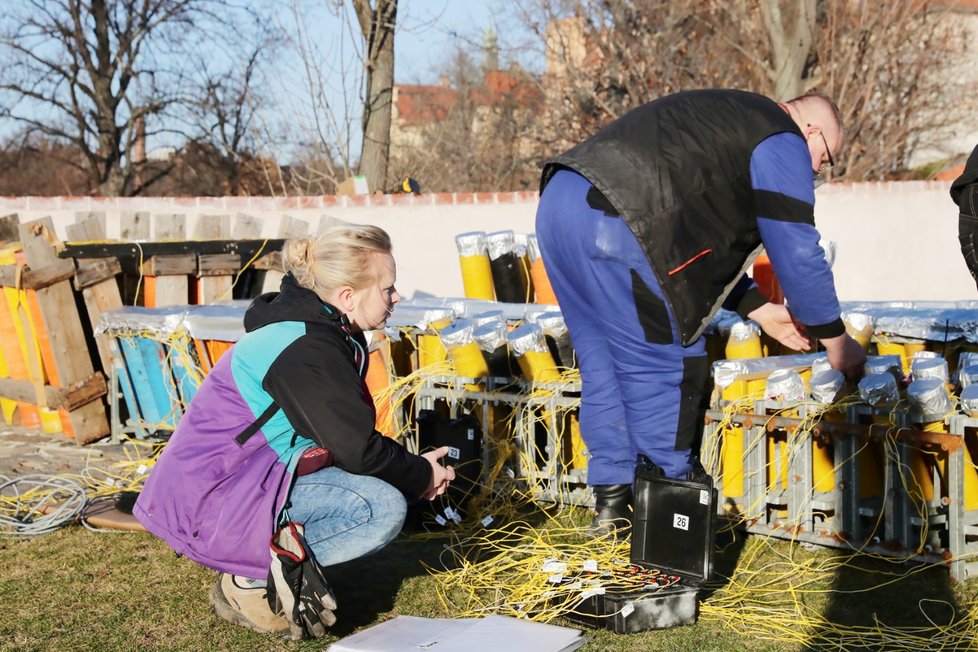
673, 530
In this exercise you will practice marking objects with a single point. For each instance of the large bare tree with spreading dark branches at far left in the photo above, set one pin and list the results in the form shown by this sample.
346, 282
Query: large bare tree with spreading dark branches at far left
89, 72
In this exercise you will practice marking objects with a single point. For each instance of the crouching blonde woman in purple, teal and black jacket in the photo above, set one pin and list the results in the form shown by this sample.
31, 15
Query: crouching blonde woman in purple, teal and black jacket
283, 426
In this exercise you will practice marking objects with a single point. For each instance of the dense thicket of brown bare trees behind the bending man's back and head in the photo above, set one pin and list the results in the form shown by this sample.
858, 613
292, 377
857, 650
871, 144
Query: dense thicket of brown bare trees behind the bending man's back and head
881, 62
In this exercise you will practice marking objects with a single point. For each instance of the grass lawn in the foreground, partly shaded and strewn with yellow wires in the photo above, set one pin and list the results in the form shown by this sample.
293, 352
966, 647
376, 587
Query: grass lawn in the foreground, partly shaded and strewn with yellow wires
80, 590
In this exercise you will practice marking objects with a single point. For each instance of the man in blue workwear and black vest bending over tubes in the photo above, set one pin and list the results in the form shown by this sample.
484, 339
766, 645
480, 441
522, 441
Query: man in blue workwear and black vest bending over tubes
648, 227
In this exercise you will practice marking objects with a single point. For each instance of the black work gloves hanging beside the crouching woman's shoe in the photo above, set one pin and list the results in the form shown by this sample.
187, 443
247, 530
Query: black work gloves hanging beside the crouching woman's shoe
297, 586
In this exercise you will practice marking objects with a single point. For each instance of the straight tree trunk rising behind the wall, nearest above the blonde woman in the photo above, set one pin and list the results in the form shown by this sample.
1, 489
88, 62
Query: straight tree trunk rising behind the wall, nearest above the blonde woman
377, 26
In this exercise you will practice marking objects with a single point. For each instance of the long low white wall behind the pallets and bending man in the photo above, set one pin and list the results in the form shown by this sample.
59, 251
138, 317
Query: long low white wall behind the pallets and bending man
895, 241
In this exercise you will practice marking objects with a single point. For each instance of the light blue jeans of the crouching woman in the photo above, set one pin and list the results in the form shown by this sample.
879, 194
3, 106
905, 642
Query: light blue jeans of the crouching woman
346, 516
